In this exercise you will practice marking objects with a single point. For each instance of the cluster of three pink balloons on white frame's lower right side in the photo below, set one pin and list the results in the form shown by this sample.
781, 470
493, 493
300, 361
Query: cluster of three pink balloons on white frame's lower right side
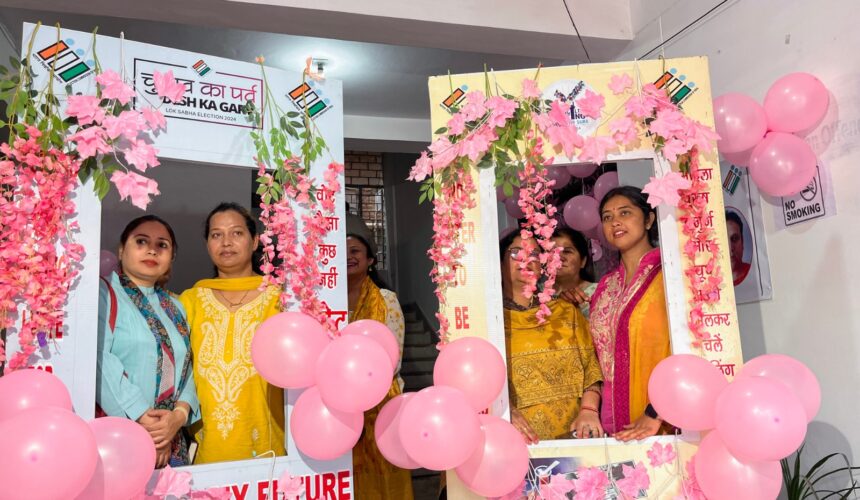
344, 376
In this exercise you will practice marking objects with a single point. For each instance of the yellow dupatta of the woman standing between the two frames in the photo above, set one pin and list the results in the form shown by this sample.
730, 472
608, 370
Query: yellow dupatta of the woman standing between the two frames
375, 477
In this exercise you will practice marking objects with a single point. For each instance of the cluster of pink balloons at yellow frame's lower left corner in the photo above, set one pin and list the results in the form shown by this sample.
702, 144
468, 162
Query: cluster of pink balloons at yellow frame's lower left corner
440, 427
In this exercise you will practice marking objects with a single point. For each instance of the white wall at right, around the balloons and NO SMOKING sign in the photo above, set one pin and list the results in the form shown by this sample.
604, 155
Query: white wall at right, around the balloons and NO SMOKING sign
815, 313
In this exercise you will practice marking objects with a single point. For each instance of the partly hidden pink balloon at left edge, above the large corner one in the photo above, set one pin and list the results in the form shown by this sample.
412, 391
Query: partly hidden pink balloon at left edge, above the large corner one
24, 389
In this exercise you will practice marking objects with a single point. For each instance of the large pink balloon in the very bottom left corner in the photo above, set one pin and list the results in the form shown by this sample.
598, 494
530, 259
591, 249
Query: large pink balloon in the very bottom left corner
48, 453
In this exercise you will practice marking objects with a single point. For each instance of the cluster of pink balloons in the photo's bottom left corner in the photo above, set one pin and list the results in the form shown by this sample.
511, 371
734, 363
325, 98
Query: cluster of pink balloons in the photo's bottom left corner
49, 452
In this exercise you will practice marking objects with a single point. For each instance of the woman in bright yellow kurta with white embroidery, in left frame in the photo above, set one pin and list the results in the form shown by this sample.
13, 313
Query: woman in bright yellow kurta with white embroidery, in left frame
242, 416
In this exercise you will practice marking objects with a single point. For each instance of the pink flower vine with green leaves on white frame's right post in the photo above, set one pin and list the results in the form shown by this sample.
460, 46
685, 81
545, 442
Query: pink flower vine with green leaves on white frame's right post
285, 153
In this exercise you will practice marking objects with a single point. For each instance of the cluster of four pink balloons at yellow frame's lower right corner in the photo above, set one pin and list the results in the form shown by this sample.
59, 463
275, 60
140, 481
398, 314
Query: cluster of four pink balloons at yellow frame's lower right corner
753, 422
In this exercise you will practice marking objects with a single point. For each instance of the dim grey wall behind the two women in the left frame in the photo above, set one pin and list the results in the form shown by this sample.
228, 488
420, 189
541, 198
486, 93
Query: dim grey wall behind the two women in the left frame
189, 191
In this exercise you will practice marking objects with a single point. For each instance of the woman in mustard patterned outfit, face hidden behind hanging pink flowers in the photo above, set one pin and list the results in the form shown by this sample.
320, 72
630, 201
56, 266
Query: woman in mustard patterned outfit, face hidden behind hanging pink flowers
553, 374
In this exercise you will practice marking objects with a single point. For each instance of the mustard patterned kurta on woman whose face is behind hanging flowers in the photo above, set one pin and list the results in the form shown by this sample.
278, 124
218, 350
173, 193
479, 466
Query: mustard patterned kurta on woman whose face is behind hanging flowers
549, 365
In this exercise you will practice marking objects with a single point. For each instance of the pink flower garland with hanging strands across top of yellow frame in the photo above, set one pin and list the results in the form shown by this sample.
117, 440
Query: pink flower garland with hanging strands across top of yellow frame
509, 133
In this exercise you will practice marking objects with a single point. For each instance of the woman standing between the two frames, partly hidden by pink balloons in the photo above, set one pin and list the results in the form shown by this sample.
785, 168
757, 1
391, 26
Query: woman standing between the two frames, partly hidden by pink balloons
374, 477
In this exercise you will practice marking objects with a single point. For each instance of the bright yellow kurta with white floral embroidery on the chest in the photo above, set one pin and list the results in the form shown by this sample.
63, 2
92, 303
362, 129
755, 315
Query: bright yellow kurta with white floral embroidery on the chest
242, 416
